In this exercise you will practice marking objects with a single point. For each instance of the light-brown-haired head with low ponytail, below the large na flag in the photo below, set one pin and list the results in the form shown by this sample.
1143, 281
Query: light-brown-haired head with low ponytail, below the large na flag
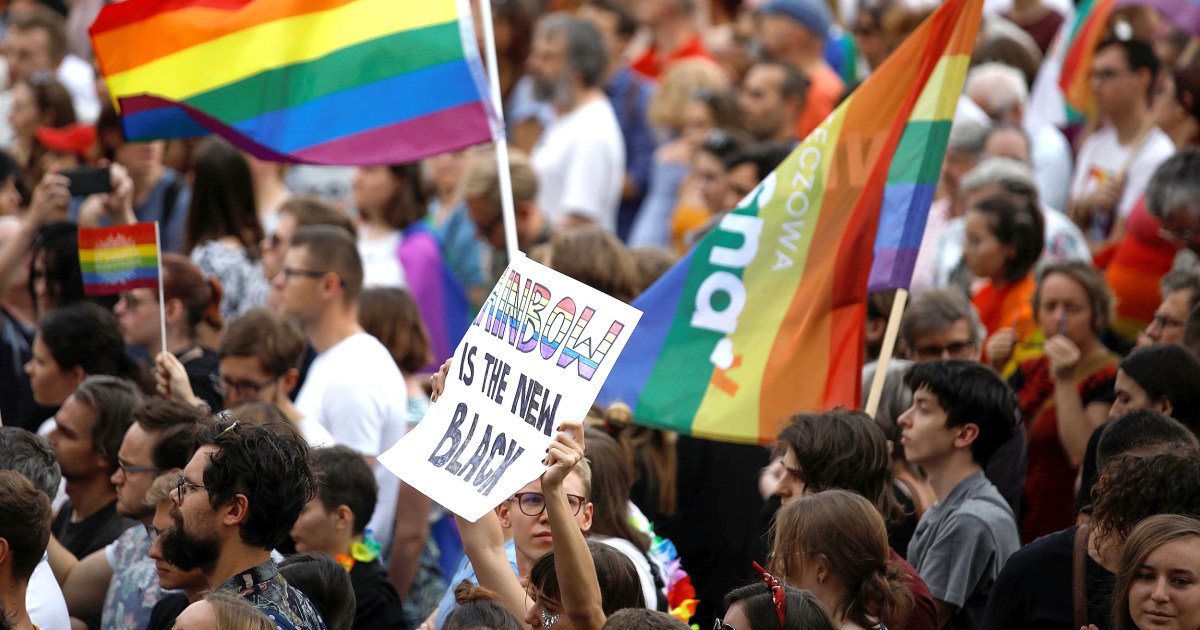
836, 544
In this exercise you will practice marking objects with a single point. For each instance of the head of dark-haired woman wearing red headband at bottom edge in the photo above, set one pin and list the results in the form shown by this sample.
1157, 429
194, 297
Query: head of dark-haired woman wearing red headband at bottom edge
772, 605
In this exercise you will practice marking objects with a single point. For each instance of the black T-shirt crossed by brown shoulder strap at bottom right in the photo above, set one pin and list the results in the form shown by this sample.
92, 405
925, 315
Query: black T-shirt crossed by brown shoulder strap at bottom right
1035, 589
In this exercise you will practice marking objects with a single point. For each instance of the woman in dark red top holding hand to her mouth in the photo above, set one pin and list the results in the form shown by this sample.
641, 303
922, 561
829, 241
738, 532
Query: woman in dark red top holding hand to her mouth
1065, 394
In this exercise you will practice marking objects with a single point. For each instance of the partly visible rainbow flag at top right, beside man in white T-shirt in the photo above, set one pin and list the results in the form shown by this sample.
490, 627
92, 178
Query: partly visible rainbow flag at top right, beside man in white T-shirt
1081, 38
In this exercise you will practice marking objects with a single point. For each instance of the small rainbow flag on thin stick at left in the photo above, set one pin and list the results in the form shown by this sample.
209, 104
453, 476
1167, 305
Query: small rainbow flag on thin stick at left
121, 259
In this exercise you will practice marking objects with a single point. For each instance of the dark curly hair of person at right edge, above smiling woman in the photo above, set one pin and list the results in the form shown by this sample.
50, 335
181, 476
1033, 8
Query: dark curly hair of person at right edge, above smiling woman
1144, 483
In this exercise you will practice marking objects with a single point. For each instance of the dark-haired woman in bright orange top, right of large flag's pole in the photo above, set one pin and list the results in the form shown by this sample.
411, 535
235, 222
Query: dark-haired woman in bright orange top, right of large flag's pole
1004, 239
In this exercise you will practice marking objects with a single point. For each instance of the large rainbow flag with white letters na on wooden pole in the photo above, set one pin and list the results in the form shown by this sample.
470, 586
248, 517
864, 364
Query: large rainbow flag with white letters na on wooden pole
765, 317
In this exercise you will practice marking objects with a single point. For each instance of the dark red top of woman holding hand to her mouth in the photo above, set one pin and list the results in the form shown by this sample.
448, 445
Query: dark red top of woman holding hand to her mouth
1051, 479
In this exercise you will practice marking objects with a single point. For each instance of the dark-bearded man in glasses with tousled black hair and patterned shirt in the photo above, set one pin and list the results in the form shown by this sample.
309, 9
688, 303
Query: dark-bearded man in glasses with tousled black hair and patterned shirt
236, 501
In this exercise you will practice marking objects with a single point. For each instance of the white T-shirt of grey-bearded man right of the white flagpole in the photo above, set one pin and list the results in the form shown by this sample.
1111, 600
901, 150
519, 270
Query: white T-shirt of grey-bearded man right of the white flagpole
581, 165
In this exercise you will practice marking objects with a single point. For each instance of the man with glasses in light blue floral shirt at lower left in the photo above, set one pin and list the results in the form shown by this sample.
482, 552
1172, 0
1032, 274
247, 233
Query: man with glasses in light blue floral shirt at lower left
118, 586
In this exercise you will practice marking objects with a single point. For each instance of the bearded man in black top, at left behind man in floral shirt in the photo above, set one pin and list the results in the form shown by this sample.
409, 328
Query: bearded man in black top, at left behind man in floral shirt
88, 431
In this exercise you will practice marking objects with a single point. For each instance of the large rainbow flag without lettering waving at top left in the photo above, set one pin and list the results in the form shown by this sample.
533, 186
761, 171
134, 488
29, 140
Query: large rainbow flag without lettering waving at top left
325, 82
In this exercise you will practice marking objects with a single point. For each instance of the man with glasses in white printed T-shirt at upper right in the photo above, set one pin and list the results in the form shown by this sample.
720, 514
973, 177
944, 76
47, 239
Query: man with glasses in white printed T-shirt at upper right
1115, 164
